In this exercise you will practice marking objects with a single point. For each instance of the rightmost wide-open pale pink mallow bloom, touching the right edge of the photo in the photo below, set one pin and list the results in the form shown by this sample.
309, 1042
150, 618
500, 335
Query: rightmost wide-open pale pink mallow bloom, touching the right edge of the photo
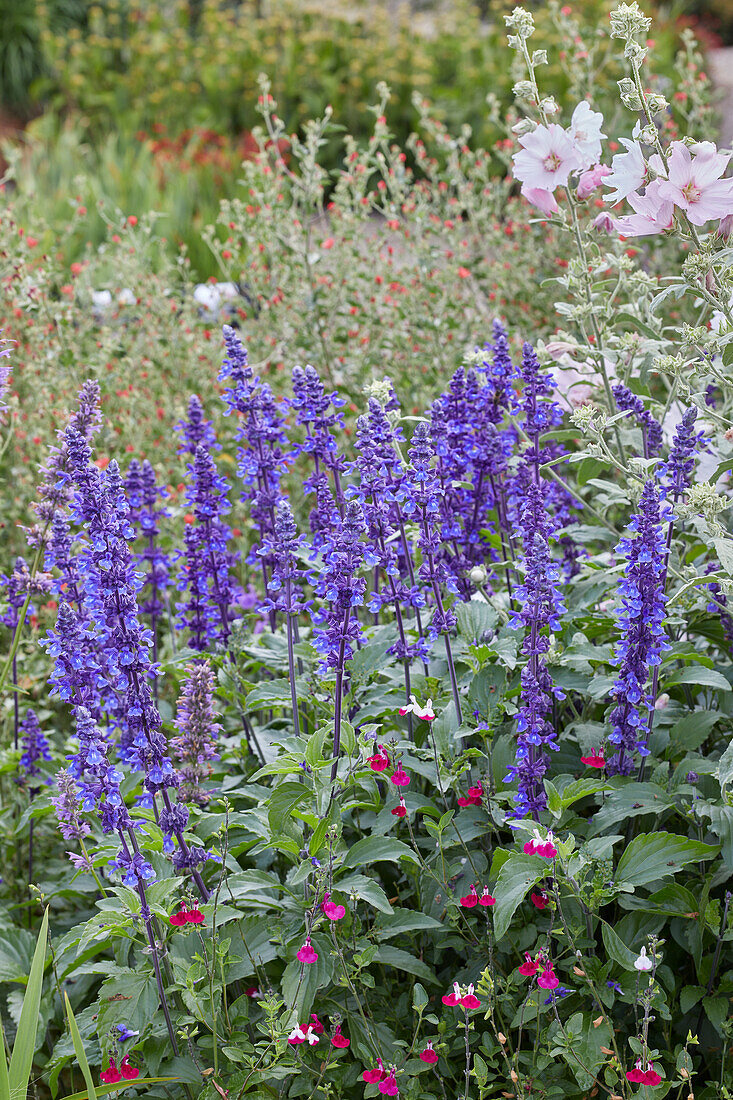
695, 183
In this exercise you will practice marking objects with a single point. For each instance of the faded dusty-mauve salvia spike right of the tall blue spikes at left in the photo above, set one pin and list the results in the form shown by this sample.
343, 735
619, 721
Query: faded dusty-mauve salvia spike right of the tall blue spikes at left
195, 746
